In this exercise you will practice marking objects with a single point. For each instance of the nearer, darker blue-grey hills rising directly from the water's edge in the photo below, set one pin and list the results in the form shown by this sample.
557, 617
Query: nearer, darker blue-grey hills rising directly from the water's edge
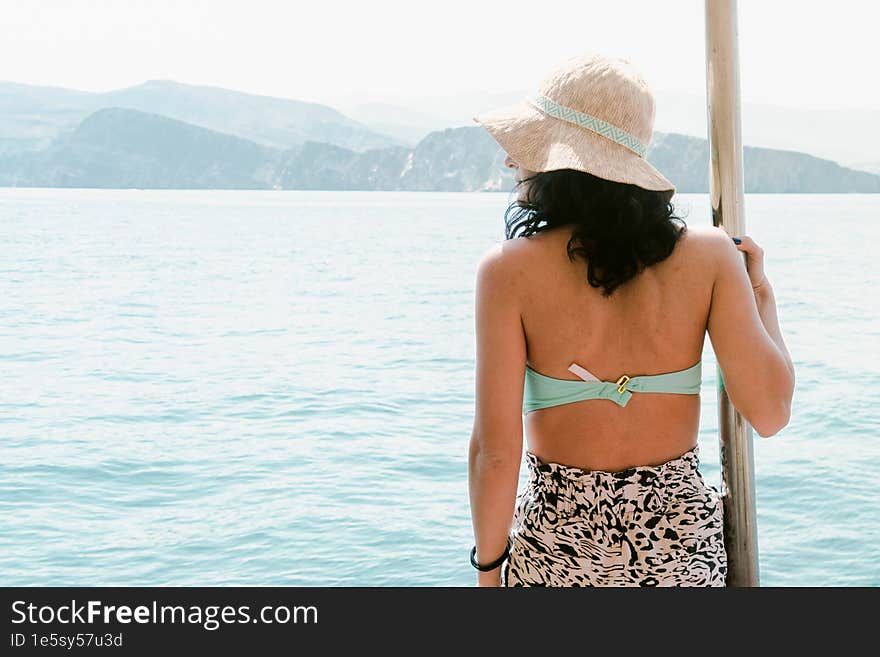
120, 147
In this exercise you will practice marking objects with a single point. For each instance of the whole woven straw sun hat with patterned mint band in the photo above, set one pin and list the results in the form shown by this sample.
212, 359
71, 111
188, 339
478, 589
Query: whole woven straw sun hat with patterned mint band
593, 113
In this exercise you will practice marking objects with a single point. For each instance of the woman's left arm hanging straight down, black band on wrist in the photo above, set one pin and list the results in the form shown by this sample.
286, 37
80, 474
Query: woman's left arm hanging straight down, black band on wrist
495, 452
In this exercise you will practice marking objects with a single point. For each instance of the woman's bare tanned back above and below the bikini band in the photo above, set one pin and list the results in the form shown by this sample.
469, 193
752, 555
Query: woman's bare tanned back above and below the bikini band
653, 324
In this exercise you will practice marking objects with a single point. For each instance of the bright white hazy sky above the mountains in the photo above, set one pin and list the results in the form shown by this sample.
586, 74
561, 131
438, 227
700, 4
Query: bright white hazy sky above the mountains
807, 54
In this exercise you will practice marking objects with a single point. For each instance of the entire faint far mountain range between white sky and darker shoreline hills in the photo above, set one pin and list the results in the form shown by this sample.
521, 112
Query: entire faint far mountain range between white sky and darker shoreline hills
32, 116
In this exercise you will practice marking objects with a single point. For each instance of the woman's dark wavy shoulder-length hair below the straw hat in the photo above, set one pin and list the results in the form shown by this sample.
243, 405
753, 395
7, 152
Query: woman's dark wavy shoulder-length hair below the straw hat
618, 228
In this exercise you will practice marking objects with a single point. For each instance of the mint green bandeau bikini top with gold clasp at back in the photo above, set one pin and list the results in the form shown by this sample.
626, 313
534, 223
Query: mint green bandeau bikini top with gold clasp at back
541, 391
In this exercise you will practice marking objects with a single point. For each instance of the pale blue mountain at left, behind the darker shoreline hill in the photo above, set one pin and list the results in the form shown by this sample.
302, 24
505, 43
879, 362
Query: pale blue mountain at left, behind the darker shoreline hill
32, 116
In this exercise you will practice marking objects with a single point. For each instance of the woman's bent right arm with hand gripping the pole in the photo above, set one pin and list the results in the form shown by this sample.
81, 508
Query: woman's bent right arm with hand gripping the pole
755, 364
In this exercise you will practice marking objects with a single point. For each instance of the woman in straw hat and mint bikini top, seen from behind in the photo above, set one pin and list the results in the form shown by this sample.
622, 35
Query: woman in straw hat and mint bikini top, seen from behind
601, 305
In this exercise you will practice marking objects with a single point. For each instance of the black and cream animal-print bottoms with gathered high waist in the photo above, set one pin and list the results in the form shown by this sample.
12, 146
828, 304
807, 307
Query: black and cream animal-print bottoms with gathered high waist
645, 526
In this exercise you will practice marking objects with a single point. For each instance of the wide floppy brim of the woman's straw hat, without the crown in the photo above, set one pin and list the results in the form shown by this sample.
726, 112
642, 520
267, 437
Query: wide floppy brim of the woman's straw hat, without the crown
540, 142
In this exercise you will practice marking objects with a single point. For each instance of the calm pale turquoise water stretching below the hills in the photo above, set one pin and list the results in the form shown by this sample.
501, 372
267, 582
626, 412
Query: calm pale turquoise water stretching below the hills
276, 388
